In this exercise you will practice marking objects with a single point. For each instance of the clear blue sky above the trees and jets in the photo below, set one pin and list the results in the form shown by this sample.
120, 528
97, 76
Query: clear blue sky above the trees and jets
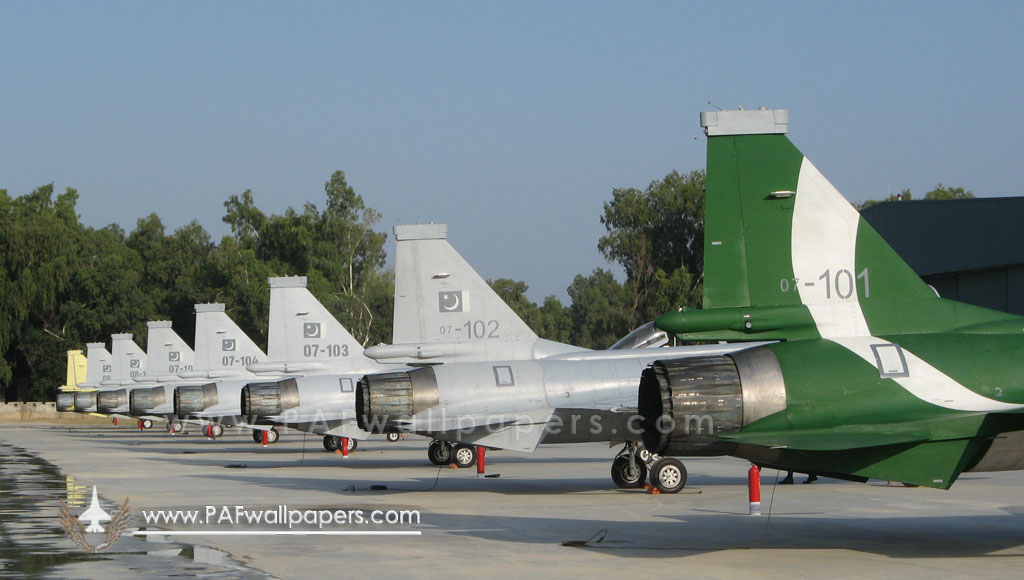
511, 122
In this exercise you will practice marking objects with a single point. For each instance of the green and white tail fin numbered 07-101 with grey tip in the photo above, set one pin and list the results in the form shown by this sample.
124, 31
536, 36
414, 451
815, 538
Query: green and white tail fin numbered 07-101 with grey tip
787, 257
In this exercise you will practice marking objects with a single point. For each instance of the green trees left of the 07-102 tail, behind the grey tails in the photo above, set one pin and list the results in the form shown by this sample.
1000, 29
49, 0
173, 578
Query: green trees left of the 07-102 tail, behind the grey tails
63, 284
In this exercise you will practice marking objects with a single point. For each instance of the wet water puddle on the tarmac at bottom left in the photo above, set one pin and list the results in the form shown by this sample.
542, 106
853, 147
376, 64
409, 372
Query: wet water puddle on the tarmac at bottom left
33, 545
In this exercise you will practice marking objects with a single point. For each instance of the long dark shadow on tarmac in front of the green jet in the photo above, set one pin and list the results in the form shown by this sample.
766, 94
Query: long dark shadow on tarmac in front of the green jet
899, 537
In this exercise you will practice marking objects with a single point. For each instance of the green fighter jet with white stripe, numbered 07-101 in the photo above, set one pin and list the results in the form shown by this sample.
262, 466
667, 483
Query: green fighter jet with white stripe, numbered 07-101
877, 377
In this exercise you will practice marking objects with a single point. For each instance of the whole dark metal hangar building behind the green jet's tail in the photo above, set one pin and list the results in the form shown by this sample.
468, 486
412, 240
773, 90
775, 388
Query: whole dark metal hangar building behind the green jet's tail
969, 251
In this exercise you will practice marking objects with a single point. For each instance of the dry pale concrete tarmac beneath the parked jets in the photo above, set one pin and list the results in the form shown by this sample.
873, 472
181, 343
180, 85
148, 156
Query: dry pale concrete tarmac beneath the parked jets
515, 526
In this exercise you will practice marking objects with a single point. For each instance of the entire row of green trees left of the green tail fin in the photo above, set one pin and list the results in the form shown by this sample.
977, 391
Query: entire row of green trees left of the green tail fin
64, 284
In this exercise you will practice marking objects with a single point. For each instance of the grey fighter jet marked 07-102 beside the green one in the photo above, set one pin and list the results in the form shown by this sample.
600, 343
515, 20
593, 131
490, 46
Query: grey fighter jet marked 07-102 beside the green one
507, 389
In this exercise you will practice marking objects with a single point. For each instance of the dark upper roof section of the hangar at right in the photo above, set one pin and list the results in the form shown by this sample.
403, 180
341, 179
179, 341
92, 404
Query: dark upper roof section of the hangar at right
946, 236
